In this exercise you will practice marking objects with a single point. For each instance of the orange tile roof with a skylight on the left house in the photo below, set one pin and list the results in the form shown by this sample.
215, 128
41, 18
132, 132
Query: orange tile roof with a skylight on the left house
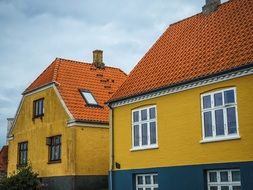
70, 76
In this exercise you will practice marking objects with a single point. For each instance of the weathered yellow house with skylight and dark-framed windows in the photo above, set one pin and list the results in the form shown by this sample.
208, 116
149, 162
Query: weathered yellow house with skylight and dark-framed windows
61, 126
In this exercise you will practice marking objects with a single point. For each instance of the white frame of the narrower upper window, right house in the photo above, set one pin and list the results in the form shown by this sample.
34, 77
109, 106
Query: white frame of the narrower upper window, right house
148, 146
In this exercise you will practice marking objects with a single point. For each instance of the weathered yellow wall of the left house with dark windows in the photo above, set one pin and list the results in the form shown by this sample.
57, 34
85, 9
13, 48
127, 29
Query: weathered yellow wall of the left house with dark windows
75, 140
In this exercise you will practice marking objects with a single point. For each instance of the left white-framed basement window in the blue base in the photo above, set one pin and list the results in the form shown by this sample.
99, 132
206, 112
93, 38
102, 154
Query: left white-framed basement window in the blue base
147, 182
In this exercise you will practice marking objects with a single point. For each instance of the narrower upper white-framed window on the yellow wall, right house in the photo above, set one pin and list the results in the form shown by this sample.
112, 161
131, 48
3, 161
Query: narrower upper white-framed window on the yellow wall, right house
144, 128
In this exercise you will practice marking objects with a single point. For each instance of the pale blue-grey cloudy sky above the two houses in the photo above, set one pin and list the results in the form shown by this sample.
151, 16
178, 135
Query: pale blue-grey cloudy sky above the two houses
34, 32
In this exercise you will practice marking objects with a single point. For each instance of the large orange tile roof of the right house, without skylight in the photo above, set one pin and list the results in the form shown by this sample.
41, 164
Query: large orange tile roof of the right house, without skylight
196, 47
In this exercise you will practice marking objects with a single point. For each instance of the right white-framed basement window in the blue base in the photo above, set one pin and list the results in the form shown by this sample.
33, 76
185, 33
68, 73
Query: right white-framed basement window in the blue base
224, 179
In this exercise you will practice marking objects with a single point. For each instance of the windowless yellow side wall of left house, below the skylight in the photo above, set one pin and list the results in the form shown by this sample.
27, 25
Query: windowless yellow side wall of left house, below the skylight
92, 150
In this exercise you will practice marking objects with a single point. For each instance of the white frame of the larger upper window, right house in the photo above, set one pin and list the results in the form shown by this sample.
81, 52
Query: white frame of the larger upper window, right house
226, 136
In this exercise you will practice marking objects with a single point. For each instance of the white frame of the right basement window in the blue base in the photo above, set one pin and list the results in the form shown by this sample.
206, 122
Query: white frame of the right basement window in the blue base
219, 183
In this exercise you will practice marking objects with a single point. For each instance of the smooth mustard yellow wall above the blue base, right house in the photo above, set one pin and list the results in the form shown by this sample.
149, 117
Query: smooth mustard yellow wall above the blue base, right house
180, 130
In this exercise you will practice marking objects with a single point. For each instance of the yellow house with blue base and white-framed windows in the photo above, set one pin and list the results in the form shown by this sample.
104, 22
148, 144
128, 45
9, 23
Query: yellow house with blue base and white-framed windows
182, 120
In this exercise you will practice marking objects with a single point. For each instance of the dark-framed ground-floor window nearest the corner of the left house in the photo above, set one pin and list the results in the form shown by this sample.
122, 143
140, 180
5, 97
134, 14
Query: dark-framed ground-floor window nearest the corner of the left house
54, 144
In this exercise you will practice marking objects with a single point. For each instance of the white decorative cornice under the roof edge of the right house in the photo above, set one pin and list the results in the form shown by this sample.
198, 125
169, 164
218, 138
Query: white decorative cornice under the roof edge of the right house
180, 88
